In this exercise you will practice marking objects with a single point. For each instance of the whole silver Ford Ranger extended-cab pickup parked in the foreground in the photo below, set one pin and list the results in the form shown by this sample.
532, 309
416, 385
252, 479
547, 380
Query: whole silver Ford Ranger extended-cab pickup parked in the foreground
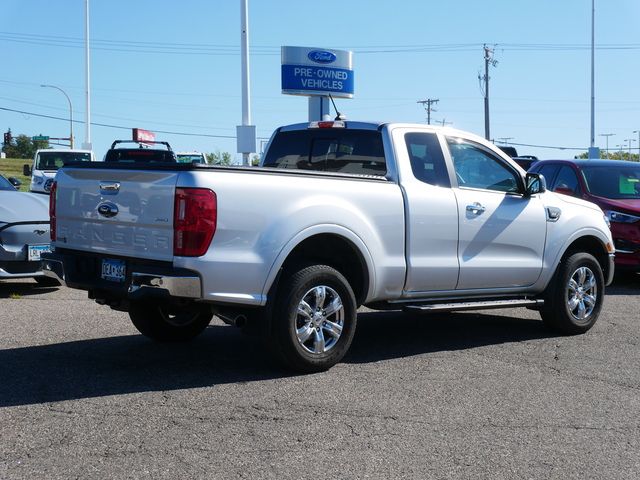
339, 214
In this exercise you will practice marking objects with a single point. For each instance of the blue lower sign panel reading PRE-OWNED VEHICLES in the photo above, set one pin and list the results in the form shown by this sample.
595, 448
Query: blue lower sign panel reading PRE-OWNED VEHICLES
304, 79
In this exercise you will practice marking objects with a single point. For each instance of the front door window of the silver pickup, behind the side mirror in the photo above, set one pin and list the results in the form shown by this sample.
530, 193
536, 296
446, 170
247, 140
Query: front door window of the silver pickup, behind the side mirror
478, 168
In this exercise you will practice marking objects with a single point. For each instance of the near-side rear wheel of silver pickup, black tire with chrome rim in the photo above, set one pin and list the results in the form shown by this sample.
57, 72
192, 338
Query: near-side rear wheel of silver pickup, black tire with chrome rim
314, 319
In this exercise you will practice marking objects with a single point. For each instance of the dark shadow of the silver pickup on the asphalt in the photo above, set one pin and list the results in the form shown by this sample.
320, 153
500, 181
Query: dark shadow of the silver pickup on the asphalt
221, 355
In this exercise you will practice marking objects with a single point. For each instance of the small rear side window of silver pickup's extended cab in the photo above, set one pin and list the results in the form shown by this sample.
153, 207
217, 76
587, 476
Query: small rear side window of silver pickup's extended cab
427, 161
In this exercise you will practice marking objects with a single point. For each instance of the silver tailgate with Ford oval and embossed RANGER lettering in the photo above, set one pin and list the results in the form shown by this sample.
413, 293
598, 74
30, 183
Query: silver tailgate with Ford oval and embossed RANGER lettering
123, 212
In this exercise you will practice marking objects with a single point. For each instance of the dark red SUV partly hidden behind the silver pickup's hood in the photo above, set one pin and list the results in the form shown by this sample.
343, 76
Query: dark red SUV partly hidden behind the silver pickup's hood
611, 184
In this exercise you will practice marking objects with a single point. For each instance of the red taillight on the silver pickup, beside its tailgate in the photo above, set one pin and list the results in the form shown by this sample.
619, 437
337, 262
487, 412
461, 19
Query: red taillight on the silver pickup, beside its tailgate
195, 214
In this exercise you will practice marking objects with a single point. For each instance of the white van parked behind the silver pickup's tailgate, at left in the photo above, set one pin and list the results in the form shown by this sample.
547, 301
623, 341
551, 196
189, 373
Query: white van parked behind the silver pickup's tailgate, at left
46, 163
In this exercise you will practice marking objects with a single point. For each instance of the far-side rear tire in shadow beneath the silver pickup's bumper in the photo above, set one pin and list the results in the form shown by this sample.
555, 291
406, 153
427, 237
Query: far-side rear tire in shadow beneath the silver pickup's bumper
169, 324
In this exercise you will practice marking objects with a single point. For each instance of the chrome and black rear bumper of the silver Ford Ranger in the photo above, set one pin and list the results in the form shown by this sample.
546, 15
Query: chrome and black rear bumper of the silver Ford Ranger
157, 279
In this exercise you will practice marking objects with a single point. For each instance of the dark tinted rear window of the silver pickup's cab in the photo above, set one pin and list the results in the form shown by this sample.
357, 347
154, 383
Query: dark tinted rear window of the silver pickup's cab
358, 152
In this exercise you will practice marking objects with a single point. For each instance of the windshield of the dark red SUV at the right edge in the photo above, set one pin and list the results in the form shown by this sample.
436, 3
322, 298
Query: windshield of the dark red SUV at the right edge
615, 182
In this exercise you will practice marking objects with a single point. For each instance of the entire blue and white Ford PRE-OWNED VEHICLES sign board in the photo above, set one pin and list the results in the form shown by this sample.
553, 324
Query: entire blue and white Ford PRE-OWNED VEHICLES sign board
317, 71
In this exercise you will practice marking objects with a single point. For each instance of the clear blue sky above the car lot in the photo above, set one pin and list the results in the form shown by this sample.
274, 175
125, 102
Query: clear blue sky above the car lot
175, 66
